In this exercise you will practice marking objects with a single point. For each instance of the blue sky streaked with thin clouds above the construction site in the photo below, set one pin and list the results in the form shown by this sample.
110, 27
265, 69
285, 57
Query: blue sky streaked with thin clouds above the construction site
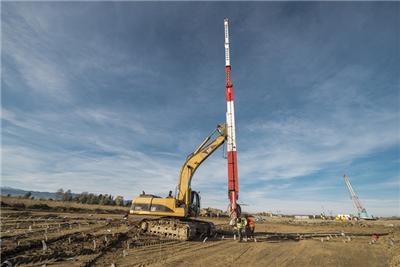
111, 97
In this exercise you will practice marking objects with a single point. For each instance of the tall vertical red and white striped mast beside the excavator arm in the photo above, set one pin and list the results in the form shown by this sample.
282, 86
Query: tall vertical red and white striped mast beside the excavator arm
233, 182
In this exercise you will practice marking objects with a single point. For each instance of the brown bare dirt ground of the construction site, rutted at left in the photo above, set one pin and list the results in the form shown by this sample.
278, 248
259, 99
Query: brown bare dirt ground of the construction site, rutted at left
35, 238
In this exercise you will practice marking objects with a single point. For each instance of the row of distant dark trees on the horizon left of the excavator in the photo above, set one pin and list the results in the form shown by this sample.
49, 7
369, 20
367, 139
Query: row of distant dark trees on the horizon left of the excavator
90, 198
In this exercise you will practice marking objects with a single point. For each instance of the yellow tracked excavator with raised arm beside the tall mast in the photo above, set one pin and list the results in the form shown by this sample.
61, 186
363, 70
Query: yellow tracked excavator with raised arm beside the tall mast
173, 213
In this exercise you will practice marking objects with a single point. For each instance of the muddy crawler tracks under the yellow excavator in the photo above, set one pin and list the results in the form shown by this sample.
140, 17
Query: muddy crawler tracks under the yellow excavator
178, 229
